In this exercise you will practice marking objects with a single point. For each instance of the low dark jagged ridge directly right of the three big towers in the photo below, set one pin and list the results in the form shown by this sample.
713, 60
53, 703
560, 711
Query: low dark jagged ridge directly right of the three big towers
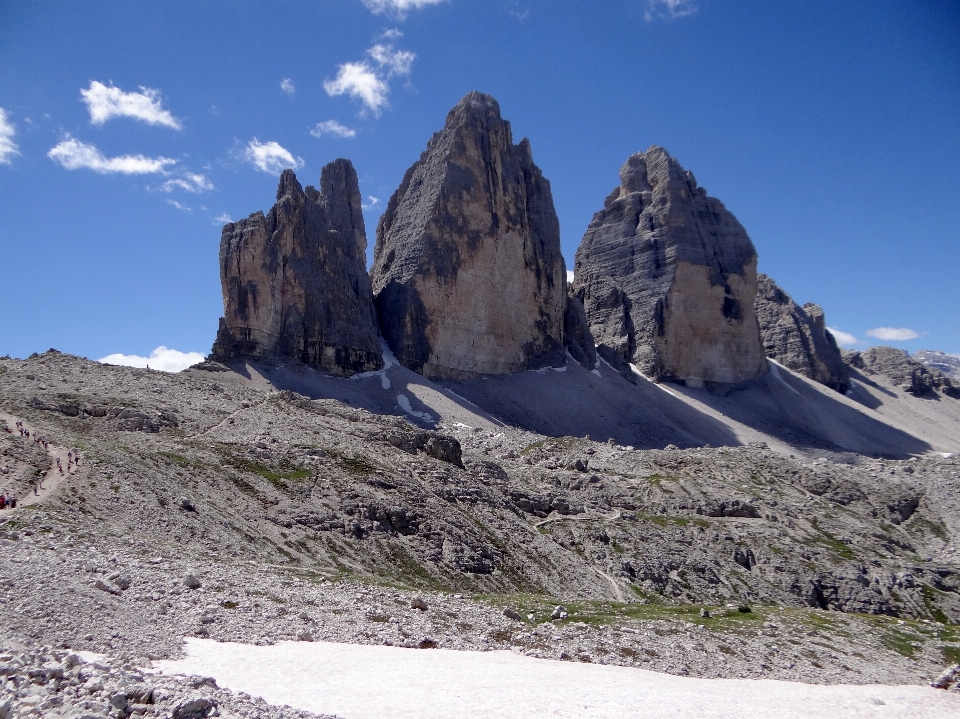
797, 337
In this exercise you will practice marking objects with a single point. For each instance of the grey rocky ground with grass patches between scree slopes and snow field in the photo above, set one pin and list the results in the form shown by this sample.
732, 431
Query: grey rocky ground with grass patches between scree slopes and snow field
201, 508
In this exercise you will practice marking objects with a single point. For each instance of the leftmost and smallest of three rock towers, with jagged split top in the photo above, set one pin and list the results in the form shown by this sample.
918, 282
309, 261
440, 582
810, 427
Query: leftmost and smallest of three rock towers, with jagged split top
294, 281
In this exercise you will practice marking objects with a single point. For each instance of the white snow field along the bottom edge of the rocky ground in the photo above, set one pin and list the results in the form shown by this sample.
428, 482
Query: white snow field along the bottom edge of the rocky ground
362, 682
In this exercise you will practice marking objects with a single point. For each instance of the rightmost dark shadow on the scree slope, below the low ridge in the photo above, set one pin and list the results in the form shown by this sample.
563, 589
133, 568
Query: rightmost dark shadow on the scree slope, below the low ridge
806, 415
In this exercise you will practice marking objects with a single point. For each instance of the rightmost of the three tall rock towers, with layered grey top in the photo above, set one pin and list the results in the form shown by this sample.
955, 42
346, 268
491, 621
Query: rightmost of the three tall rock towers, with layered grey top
668, 279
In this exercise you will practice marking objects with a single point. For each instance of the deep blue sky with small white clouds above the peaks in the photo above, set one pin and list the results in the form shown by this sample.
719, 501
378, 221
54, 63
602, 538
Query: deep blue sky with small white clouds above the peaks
131, 129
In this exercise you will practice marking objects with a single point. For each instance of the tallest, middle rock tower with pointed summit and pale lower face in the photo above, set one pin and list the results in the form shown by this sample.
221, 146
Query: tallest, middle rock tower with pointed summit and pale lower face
468, 278
